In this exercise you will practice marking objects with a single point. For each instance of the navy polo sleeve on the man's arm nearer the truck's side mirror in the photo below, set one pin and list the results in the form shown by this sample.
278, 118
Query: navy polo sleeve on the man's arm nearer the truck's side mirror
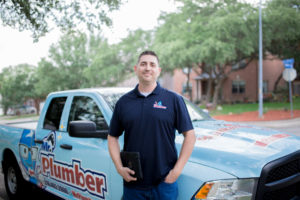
115, 128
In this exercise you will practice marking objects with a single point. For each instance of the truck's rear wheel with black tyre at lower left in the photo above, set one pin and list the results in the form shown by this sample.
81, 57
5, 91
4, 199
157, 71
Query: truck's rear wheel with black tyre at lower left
15, 184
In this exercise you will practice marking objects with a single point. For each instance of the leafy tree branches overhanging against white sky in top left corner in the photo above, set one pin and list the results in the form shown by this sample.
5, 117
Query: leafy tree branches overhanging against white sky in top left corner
40, 16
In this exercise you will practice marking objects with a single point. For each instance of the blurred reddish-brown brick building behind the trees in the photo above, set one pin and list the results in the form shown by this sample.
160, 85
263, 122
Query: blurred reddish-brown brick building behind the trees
240, 86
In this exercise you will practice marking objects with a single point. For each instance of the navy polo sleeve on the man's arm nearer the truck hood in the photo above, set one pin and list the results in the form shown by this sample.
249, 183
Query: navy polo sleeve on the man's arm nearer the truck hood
183, 121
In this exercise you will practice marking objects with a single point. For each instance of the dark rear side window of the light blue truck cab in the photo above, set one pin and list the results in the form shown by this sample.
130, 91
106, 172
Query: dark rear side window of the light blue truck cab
54, 113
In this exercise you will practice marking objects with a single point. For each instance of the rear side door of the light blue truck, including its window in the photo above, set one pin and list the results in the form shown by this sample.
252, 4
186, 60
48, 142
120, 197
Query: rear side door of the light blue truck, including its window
48, 169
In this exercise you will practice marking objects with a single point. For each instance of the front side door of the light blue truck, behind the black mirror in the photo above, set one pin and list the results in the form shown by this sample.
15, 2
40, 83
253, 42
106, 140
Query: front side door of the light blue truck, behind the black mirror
88, 156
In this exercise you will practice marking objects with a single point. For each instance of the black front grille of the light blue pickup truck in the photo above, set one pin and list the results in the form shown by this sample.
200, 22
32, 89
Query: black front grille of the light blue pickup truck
280, 179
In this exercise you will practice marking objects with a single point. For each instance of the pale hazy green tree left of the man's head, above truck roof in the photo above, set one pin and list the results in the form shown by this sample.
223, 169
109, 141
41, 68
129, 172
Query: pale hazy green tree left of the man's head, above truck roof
111, 63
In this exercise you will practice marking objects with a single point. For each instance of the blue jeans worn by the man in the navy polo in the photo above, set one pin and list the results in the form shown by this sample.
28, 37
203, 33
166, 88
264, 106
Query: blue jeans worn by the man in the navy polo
164, 191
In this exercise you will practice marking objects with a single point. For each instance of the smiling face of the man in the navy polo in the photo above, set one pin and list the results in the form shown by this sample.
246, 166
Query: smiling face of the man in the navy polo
147, 69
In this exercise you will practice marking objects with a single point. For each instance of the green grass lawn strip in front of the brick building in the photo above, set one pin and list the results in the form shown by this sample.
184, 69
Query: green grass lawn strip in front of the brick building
246, 107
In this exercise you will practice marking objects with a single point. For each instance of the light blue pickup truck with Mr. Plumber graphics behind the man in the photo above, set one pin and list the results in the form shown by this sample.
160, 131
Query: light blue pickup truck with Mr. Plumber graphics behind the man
67, 154
